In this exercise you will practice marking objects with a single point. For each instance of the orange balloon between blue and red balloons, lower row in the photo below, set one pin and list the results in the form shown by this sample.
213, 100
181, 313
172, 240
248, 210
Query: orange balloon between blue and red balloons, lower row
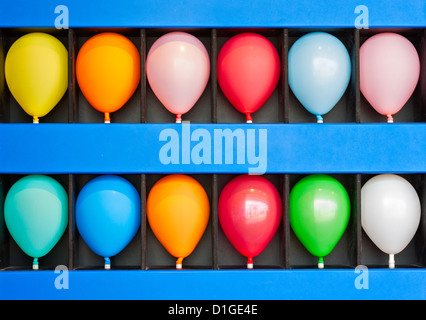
178, 212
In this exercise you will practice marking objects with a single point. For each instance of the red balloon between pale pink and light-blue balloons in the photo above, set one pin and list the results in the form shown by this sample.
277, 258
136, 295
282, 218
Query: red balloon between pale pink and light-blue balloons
248, 70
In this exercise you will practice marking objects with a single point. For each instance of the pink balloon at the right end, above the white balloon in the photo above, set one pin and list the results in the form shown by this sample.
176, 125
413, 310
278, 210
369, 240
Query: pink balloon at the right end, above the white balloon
389, 72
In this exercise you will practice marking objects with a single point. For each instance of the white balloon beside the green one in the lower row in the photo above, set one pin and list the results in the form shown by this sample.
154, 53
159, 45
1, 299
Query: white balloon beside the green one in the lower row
390, 213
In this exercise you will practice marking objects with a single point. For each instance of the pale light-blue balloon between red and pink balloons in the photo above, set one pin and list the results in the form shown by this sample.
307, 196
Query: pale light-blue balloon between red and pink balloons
319, 70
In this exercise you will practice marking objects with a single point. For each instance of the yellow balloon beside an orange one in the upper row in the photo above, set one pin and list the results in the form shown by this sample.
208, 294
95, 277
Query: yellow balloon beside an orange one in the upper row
36, 71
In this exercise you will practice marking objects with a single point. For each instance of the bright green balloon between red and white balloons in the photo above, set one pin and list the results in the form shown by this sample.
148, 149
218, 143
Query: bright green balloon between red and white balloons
319, 213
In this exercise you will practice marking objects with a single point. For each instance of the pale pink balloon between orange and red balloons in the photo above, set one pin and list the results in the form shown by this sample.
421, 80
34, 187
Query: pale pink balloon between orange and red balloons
178, 69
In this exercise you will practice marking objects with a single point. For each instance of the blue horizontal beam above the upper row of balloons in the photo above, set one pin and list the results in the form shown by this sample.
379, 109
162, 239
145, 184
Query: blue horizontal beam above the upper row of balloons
213, 13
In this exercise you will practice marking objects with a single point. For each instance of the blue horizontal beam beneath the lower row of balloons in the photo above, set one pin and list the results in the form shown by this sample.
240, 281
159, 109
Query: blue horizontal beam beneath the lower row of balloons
335, 284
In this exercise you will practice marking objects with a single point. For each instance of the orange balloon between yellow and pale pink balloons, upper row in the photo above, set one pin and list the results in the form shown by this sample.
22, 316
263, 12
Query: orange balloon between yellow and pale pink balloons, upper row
108, 71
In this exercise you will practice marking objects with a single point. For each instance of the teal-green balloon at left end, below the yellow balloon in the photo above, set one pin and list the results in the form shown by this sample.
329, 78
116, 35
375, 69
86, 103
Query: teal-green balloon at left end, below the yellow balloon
36, 214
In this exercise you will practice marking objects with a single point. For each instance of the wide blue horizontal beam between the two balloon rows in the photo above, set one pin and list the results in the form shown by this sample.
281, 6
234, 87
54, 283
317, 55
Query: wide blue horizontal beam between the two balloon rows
212, 148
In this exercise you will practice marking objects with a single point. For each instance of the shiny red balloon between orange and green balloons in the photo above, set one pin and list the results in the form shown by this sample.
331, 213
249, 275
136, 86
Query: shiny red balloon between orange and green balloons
250, 212
